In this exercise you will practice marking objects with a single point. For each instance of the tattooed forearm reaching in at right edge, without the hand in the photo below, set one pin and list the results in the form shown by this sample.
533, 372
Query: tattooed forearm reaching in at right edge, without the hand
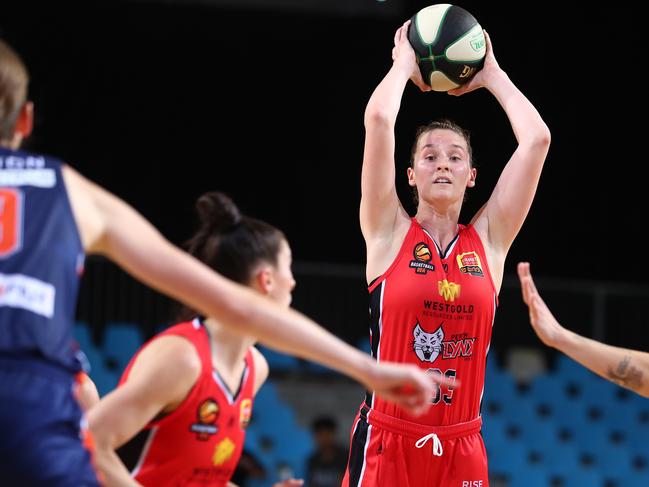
627, 368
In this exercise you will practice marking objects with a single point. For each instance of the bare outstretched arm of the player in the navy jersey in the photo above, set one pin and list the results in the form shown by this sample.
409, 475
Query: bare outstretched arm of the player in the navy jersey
119, 232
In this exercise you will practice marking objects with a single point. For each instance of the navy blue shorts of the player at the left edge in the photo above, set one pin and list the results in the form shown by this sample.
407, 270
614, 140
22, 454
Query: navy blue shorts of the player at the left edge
40, 425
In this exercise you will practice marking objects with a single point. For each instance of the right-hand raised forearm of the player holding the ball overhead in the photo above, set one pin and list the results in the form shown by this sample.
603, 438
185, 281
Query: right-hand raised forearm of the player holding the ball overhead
527, 124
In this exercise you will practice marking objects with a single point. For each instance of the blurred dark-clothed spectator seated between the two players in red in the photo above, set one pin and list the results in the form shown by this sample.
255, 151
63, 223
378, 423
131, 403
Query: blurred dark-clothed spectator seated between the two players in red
326, 465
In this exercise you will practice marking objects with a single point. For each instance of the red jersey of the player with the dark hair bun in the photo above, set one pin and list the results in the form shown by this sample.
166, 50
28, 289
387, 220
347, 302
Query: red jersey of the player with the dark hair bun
201, 441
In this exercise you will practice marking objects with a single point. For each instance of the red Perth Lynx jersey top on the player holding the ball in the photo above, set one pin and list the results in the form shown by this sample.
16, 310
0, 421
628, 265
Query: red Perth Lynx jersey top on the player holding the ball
435, 308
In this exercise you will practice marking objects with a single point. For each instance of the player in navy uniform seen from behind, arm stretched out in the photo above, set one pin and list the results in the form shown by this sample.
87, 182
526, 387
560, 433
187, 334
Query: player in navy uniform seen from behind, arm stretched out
60, 212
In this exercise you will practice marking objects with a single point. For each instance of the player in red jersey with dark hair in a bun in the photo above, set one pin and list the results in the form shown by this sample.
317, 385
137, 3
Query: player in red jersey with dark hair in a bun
193, 386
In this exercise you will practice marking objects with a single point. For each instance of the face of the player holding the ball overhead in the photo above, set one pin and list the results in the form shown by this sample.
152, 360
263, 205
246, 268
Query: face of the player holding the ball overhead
441, 170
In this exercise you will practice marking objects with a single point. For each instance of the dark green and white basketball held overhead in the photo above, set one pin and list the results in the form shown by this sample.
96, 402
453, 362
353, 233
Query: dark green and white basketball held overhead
449, 44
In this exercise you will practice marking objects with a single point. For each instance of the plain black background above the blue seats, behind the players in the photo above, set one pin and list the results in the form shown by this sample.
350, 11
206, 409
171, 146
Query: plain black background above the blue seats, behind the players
161, 101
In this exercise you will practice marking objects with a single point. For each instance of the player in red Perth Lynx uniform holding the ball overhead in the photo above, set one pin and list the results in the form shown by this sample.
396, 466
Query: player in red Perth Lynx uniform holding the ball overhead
433, 282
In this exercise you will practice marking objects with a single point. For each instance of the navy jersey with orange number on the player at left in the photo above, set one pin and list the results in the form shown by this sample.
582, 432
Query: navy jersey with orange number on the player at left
41, 261
